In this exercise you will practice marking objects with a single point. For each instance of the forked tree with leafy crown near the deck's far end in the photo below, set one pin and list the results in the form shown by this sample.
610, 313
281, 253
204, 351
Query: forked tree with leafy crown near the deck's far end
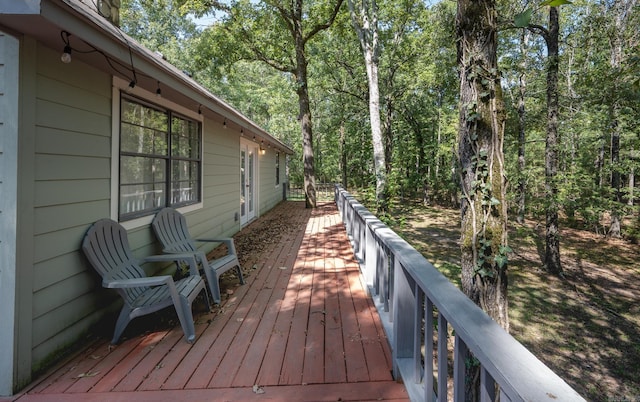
276, 33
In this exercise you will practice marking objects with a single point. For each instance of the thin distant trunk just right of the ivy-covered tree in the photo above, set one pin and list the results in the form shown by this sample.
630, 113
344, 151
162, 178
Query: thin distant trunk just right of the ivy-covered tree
522, 182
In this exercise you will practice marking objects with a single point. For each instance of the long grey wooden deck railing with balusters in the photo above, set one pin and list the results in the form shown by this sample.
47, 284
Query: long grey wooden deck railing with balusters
407, 289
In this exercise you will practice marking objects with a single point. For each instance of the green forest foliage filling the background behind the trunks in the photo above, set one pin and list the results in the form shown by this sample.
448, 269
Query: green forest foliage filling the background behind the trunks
419, 86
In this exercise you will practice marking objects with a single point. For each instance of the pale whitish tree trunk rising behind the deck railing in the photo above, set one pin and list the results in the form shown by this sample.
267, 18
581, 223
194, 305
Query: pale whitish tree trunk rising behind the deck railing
366, 27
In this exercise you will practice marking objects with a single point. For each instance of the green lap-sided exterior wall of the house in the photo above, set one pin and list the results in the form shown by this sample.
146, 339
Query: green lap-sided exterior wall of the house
66, 176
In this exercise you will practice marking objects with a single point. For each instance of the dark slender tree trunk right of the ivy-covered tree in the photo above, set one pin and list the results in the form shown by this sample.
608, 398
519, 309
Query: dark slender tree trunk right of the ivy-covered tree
552, 238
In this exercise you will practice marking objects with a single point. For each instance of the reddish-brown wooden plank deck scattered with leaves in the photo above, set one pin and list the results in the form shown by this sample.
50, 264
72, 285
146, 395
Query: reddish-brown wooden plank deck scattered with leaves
301, 329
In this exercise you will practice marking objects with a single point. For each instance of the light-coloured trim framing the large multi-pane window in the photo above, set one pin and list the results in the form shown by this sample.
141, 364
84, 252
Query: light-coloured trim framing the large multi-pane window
120, 85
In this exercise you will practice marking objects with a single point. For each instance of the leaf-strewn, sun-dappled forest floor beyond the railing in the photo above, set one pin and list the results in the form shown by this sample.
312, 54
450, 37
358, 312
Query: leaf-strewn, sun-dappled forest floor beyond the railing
585, 325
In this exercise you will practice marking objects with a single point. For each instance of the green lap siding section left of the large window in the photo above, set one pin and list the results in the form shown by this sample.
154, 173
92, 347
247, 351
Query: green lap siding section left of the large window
72, 178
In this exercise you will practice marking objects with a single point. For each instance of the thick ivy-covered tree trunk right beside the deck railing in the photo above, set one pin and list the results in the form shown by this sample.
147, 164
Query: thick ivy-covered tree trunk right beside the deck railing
480, 148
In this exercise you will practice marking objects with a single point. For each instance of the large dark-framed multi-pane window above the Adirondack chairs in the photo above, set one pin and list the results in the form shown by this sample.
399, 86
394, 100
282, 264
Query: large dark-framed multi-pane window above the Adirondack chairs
160, 159
